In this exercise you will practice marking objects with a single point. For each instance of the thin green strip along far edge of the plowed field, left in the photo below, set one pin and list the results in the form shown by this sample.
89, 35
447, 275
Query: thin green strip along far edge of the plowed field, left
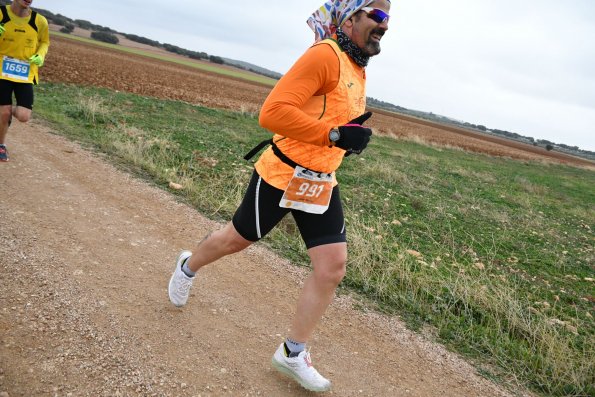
236, 73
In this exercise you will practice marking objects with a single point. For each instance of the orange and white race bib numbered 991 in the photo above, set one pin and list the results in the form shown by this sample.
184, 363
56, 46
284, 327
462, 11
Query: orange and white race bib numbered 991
308, 191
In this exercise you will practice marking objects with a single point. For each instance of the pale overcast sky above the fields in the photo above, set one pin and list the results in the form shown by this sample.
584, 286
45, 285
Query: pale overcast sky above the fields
522, 66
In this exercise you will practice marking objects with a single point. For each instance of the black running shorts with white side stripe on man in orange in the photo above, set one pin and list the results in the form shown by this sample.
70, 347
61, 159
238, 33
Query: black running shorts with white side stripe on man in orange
259, 212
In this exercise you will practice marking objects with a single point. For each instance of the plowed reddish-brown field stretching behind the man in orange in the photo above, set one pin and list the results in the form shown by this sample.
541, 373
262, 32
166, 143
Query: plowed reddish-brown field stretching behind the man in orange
70, 61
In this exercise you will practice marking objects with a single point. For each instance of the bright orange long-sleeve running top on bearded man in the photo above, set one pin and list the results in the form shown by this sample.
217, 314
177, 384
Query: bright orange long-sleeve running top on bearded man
323, 90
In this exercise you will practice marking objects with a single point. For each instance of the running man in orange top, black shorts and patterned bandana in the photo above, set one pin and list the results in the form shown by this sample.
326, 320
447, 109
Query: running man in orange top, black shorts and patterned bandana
316, 111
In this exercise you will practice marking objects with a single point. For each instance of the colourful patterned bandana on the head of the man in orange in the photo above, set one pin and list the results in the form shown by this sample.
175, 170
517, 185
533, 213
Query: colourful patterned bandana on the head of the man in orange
325, 21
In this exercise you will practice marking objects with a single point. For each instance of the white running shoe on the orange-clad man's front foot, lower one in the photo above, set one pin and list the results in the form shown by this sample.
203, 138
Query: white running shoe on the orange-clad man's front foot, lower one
300, 368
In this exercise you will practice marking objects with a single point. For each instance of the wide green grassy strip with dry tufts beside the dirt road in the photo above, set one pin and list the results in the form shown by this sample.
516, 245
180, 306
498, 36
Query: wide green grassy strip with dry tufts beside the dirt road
495, 255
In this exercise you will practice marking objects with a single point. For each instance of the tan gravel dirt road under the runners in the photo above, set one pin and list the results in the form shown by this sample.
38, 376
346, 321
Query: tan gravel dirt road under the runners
86, 253
